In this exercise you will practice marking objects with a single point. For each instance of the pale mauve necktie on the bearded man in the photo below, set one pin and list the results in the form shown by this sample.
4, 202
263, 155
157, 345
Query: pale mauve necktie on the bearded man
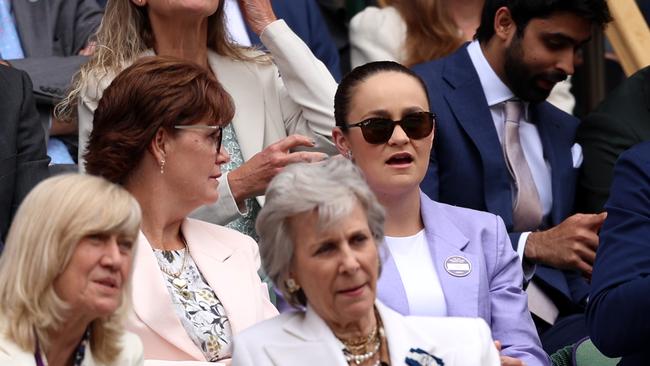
527, 208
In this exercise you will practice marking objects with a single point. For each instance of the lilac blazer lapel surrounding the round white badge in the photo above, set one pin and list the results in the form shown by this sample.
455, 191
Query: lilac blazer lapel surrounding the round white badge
445, 241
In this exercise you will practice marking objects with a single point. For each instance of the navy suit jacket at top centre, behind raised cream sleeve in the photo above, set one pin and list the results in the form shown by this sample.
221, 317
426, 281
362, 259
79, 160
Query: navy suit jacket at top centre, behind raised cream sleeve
305, 19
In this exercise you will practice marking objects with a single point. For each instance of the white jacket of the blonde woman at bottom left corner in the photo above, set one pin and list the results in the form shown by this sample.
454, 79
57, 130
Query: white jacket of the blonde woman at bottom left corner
130, 355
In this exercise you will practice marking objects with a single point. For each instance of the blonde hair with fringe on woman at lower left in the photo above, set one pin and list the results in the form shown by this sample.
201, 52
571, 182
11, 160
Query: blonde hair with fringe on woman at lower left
48, 225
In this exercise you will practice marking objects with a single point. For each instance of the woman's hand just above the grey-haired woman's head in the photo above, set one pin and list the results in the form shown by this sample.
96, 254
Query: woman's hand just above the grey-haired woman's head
252, 177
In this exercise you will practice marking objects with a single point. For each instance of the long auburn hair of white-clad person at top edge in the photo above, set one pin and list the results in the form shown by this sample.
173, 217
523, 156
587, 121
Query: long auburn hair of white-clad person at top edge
430, 31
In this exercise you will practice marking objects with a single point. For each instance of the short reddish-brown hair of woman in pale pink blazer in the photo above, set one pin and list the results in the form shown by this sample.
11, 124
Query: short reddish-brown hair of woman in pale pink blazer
153, 93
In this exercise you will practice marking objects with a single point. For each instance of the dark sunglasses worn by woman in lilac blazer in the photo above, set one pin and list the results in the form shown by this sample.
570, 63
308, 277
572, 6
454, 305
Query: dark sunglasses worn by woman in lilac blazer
378, 130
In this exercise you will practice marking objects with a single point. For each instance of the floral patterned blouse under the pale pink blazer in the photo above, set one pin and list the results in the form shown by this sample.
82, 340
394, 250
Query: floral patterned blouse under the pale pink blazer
197, 306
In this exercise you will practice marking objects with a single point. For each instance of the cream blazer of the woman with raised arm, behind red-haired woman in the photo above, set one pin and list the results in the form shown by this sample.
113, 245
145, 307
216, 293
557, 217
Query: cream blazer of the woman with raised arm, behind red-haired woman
294, 94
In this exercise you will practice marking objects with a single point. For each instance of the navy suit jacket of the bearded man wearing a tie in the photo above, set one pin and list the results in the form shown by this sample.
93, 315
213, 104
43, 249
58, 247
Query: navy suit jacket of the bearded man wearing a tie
467, 167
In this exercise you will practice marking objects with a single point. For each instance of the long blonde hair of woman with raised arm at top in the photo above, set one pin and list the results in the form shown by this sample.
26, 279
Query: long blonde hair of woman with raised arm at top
123, 35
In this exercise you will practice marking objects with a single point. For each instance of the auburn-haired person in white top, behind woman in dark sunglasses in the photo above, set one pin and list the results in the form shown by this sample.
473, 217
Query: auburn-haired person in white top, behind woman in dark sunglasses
417, 31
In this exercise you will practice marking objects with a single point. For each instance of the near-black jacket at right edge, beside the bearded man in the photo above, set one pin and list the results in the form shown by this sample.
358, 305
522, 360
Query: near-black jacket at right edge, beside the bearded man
618, 123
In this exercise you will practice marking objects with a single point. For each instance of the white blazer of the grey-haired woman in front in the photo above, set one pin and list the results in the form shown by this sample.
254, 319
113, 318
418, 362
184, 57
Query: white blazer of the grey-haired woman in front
303, 338
